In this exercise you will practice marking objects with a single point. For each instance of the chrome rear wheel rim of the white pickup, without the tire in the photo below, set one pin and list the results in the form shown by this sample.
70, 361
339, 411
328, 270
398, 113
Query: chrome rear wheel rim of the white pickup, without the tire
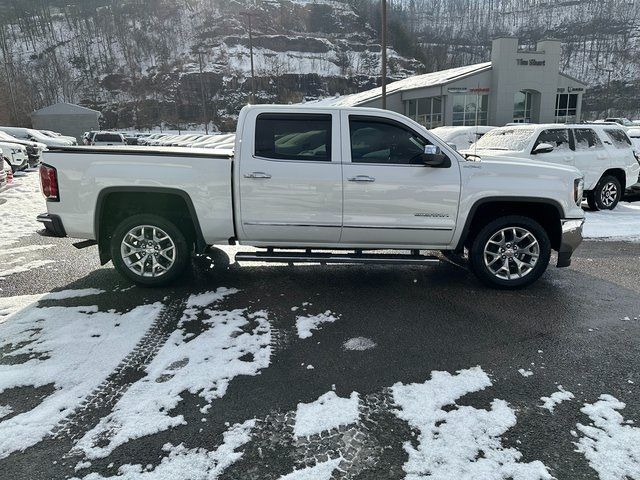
148, 251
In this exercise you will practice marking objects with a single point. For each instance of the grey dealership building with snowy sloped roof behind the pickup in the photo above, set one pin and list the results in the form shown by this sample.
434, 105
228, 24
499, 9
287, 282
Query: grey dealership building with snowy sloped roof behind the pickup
517, 85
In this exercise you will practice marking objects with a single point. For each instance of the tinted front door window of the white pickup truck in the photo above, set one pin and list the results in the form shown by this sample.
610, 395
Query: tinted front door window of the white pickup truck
381, 141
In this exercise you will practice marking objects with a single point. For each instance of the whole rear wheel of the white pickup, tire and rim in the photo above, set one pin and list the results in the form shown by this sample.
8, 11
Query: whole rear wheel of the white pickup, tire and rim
161, 261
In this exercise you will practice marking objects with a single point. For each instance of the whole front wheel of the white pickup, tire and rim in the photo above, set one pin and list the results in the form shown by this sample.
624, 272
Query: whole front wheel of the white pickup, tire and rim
511, 268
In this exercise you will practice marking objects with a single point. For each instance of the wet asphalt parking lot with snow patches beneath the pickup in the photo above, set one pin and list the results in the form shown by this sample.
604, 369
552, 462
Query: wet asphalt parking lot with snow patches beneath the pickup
268, 372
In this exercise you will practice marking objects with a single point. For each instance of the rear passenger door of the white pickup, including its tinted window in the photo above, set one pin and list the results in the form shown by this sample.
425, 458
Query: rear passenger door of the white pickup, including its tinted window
291, 178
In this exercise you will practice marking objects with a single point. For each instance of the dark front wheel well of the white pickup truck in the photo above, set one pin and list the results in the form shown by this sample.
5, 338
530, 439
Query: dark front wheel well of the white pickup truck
547, 215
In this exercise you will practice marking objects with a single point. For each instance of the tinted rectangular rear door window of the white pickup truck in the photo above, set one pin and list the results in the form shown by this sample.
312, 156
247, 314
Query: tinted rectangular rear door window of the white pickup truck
286, 136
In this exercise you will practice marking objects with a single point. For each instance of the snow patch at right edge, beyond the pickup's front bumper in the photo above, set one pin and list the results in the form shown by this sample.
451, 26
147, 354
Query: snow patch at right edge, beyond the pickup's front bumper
622, 223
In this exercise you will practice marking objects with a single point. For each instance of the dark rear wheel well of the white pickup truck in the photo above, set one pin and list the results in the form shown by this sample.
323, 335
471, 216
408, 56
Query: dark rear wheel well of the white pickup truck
113, 207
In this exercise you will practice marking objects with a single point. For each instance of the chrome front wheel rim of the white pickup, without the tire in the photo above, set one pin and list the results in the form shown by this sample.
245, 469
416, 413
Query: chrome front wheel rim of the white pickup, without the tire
511, 253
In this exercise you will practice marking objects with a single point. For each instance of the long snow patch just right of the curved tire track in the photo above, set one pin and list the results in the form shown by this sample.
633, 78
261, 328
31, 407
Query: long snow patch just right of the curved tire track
231, 343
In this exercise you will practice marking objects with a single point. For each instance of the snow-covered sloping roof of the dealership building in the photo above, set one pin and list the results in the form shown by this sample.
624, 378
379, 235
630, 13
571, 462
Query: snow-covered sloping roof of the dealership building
417, 81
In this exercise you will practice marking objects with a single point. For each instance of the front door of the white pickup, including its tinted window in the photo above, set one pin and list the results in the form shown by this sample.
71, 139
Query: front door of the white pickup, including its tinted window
390, 197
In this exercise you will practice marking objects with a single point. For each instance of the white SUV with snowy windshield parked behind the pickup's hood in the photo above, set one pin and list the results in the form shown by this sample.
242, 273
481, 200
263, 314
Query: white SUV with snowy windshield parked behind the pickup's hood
603, 153
